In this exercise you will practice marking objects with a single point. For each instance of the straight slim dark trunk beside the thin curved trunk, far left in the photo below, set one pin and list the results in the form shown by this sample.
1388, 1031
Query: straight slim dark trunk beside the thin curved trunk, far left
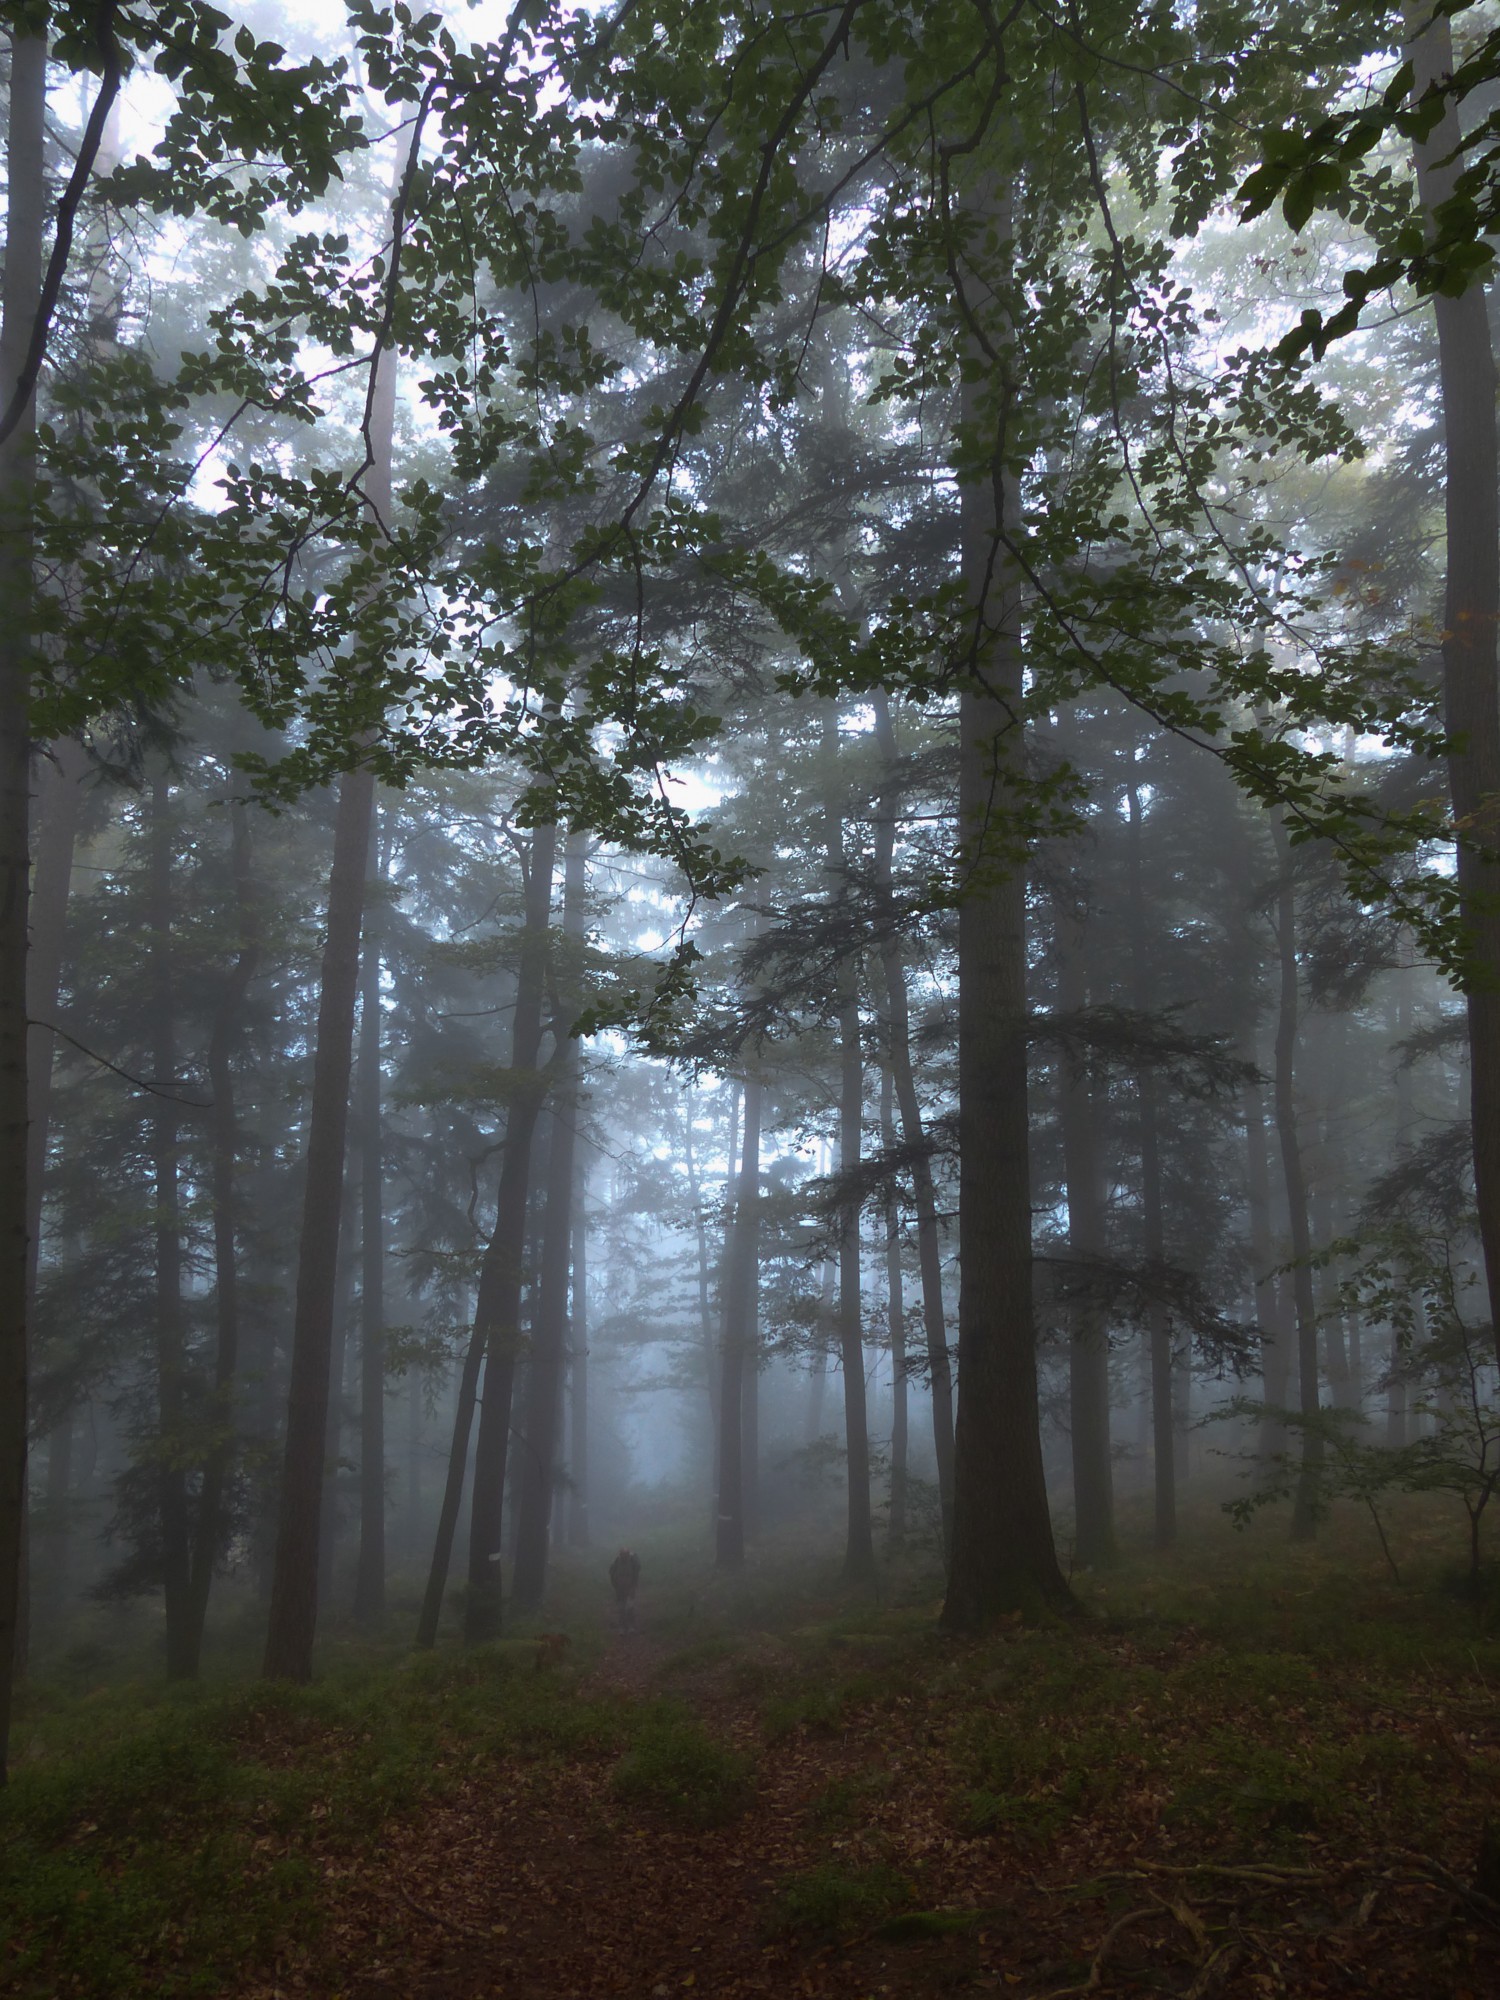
167, 1203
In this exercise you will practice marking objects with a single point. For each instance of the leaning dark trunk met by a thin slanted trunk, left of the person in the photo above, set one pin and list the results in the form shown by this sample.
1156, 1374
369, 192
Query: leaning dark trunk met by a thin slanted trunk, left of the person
497, 1307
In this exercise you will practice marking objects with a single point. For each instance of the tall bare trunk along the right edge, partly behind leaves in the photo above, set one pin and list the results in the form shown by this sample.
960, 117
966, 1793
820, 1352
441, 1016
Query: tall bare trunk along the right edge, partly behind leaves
1471, 687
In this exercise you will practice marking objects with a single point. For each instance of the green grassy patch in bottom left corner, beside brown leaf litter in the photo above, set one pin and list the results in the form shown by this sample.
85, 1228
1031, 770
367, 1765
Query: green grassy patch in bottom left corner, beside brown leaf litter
153, 1841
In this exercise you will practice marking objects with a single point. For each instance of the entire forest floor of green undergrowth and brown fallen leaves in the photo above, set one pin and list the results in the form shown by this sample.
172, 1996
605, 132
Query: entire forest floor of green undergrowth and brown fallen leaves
1243, 1771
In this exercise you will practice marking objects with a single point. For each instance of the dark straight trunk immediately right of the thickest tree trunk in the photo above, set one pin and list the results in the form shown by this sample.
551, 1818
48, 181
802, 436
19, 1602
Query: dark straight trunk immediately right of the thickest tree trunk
1089, 1343
